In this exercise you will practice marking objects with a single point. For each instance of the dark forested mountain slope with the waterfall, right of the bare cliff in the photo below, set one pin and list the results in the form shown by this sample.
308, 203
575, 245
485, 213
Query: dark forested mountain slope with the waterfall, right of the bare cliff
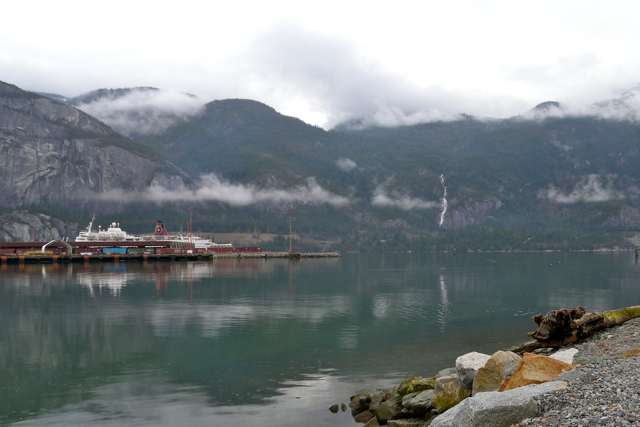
567, 180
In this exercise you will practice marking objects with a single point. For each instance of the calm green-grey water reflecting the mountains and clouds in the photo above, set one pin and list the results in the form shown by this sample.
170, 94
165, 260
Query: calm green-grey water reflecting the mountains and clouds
268, 343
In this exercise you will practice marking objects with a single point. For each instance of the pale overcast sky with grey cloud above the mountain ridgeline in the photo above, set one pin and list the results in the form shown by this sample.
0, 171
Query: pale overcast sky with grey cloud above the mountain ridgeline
325, 62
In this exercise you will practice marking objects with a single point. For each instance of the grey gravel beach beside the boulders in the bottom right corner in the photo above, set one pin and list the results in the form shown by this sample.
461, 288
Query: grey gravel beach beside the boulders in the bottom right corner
608, 391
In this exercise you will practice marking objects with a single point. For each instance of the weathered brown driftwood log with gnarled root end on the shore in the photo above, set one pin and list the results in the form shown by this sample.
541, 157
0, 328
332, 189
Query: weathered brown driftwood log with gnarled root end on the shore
561, 327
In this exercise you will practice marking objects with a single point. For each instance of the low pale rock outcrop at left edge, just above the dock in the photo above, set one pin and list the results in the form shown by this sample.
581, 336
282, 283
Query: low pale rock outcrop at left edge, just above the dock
21, 226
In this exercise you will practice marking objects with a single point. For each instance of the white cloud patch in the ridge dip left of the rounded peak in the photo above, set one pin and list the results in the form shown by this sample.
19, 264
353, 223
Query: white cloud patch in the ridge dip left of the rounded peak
141, 111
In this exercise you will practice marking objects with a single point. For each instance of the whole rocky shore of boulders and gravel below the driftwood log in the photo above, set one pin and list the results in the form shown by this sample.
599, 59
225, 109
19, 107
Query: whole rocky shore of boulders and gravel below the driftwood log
593, 383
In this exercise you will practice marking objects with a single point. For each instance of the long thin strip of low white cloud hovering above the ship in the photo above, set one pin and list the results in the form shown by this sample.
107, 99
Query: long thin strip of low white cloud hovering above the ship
210, 188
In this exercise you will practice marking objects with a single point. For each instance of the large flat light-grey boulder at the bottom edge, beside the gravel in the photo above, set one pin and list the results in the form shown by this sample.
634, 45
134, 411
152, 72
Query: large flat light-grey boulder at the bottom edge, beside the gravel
495, 409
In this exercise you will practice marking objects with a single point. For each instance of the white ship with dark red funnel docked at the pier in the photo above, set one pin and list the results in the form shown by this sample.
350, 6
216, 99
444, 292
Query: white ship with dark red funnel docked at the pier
115, 234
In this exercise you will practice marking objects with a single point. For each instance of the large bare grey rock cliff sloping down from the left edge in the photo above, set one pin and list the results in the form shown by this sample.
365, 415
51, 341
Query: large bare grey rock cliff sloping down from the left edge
53, 155
